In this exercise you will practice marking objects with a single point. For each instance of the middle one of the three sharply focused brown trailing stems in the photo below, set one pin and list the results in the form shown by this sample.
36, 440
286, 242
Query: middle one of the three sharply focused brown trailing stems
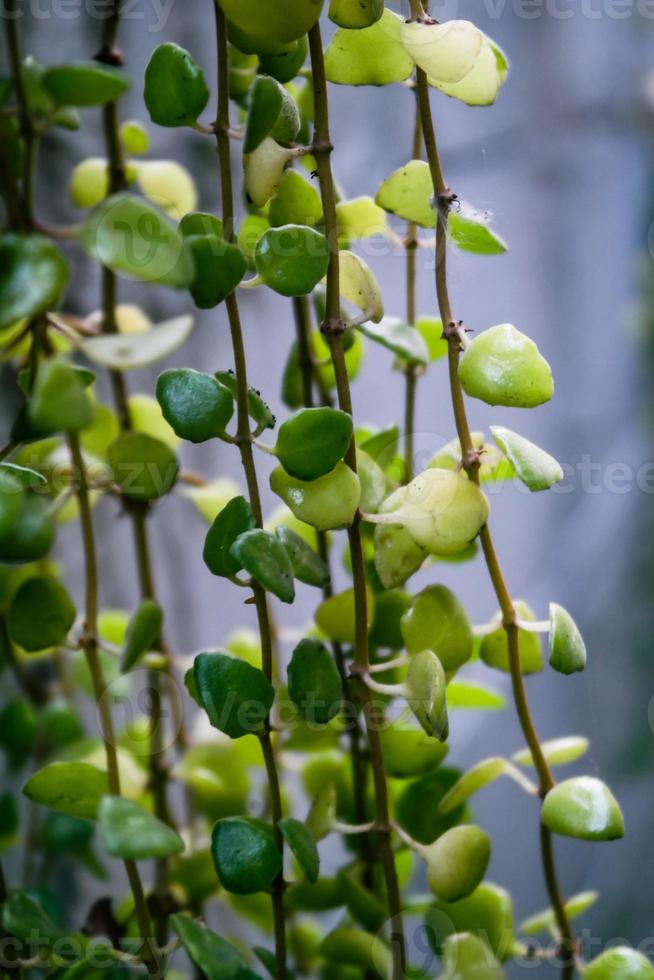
333, 330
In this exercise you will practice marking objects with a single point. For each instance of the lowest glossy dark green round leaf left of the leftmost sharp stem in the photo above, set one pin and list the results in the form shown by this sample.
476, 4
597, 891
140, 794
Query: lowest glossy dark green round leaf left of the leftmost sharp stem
245, 855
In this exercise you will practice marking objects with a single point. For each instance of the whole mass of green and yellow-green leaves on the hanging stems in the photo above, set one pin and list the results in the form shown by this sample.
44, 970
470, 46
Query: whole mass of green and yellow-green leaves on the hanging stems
329, 475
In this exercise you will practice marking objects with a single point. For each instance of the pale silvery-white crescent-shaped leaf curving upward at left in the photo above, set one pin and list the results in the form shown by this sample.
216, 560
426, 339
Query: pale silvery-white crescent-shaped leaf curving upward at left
128, 352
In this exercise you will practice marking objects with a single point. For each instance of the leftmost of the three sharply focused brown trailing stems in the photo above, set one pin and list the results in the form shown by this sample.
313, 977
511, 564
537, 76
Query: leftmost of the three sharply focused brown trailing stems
244, 439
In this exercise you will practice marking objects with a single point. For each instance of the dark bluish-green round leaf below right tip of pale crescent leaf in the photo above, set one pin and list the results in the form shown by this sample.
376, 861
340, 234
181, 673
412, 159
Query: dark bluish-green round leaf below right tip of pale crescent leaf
195, 405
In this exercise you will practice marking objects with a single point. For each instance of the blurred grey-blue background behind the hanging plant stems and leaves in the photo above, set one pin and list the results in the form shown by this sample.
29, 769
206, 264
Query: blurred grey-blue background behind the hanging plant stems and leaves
564, 165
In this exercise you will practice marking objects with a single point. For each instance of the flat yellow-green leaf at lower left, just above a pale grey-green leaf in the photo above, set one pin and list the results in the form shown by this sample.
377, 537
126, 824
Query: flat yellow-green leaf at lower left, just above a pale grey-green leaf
75, 788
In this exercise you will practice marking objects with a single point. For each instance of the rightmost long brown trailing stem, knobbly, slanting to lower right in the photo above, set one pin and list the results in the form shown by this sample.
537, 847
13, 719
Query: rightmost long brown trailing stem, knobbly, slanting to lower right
471, 462
